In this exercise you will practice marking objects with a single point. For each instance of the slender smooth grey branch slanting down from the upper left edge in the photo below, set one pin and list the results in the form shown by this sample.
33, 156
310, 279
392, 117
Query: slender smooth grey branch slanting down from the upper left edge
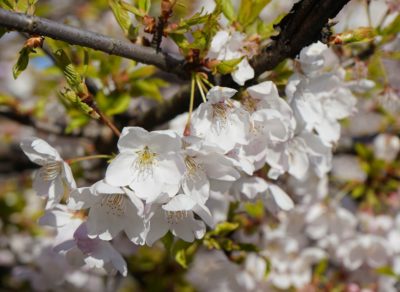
75, 36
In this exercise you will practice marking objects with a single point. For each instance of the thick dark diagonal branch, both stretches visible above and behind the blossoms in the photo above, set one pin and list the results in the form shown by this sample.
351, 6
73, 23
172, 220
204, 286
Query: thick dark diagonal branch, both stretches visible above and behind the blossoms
301, 27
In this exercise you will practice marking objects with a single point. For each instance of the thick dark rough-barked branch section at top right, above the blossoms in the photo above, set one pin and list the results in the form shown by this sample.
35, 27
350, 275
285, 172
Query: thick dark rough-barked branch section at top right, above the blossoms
301, 27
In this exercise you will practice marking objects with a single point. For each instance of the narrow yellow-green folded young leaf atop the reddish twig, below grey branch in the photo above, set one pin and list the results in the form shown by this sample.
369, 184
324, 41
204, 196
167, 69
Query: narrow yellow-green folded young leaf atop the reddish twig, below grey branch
73, 78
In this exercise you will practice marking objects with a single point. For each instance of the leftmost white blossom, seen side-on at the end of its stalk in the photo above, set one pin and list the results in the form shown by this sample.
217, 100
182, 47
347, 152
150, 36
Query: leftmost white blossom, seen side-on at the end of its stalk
54, 178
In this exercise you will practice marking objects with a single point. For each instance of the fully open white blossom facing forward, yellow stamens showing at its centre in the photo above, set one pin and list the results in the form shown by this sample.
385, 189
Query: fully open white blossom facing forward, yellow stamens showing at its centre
151, 163
